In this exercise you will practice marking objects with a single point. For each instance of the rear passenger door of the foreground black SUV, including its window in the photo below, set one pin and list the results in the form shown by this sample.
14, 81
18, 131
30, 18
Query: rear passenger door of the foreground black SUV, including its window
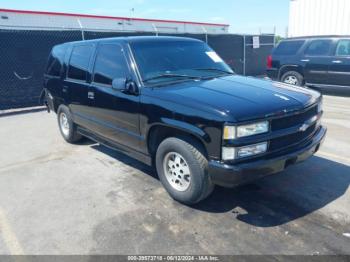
76, 84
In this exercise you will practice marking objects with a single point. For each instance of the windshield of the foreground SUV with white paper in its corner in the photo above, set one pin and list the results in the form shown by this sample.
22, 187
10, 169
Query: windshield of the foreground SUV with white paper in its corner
162, 61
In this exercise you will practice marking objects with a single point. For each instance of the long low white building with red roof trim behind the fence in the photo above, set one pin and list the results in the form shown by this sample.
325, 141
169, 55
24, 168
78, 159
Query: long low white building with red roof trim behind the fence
19, 19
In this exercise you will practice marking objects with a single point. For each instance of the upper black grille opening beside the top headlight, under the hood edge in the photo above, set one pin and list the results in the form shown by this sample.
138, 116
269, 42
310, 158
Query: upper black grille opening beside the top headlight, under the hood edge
293, 120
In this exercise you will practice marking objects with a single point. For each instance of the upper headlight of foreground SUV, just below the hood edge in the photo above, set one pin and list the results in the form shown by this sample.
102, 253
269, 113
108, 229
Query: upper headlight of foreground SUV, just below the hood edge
231, 132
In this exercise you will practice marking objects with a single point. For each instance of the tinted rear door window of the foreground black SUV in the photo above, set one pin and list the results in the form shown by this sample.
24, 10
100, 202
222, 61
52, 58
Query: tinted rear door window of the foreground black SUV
79, 62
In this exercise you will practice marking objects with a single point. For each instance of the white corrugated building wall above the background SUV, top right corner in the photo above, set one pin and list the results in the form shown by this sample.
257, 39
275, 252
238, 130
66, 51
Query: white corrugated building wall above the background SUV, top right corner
319, 17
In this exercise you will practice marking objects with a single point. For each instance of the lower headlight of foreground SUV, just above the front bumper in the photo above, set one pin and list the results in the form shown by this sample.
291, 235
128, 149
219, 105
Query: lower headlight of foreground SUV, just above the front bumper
231, 153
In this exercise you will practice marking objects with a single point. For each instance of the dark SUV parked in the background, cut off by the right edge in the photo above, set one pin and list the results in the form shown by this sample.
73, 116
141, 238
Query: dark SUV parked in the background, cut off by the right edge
312, 61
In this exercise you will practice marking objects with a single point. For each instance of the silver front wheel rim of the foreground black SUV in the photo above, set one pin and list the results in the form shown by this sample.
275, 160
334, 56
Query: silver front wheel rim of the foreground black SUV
177, 171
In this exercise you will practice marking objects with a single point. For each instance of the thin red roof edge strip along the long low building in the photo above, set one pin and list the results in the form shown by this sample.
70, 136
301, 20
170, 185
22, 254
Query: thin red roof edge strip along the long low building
107, 17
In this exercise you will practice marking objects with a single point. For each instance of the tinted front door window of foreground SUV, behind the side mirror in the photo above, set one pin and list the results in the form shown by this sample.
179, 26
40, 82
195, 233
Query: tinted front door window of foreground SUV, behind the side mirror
110, 64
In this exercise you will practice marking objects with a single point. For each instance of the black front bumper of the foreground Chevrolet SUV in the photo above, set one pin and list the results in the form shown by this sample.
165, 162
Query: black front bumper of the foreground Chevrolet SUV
234, 175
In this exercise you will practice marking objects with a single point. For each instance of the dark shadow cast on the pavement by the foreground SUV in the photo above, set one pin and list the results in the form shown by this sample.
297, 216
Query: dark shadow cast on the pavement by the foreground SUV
274, 200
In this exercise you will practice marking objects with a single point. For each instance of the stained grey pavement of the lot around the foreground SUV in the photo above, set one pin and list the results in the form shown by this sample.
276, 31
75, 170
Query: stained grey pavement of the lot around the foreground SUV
57, 198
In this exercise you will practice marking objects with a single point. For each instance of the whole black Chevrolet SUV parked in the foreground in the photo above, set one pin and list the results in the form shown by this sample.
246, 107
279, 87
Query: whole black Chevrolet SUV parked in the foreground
173, 103
